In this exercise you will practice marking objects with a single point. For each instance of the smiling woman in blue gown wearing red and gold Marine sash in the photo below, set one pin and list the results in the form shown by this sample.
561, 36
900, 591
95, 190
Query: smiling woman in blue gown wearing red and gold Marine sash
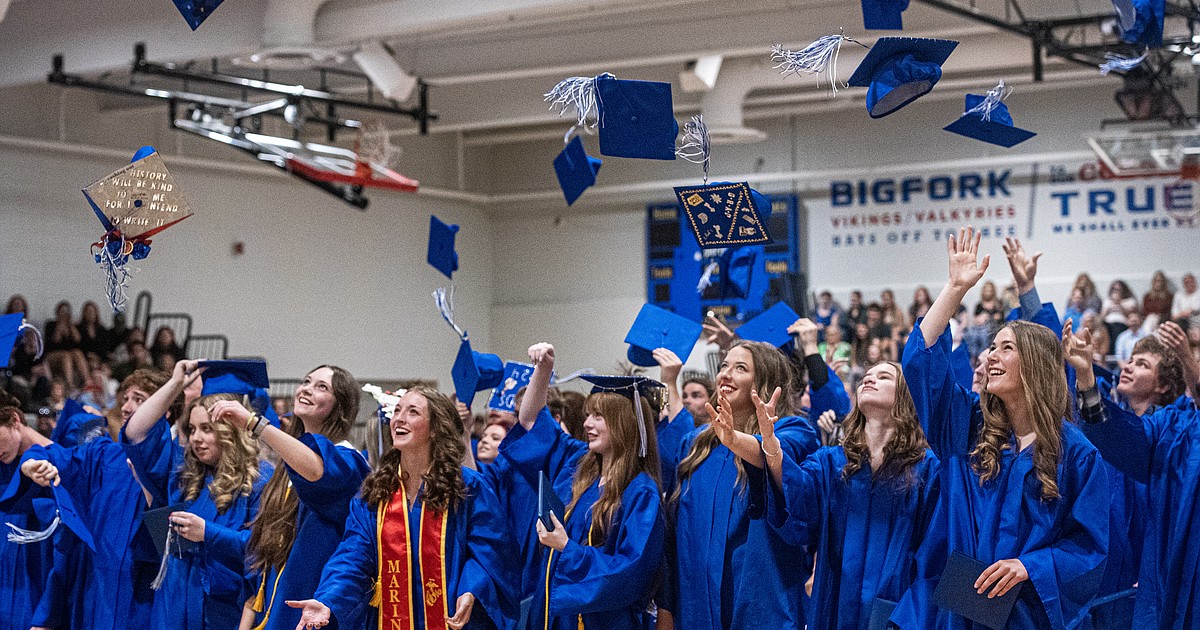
427, 545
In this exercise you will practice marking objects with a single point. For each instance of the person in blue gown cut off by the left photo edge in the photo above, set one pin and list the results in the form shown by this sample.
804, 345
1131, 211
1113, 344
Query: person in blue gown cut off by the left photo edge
25, 569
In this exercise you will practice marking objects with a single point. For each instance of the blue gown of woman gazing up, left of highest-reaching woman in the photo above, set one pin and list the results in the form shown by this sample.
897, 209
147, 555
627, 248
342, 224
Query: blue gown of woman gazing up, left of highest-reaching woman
866, 533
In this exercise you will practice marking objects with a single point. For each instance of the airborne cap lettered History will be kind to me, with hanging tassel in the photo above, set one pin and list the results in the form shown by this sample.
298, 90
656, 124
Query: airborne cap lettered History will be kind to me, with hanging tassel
133, 205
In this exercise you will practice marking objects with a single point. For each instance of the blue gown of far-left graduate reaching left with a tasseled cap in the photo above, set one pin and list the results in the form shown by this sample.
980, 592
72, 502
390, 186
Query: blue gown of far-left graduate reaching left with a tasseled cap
109, 589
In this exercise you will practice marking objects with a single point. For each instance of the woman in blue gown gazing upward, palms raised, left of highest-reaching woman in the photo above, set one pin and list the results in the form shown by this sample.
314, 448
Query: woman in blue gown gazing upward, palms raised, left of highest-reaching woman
863, 507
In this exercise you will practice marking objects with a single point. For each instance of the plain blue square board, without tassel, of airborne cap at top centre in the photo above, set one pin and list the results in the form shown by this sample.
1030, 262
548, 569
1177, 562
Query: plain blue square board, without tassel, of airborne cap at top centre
637, 118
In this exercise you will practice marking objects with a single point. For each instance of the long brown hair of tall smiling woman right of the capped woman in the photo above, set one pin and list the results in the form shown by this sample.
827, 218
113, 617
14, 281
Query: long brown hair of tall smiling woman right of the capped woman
772, 370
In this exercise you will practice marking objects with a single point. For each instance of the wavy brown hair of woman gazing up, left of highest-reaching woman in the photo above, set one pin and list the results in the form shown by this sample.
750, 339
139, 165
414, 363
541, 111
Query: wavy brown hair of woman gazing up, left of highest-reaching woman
907, 448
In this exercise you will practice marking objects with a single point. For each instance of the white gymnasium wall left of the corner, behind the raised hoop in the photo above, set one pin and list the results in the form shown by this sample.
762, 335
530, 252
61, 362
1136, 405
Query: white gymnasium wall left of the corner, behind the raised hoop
320, 280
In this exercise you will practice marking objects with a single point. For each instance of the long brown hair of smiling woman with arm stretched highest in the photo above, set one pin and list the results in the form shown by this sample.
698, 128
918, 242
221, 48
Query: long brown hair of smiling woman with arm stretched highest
1045, 387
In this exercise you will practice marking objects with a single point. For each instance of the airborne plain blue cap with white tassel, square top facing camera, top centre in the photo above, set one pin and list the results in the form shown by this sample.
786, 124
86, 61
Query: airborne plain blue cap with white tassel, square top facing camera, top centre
635, 118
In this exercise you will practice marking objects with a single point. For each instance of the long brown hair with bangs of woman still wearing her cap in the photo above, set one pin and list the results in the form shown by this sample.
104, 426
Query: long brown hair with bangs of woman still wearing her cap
623, 437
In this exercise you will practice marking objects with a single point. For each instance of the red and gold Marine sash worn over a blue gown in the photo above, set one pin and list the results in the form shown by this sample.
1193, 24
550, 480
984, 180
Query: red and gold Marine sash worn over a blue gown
394, 590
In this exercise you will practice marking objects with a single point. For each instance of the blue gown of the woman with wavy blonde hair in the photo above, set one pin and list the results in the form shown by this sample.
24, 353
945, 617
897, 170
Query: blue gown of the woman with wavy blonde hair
203, 586
